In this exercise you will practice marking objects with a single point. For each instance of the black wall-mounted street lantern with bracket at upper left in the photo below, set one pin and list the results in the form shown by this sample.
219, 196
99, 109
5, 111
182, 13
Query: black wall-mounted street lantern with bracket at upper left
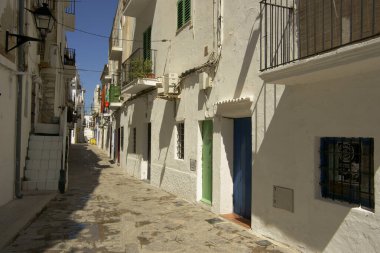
44, 20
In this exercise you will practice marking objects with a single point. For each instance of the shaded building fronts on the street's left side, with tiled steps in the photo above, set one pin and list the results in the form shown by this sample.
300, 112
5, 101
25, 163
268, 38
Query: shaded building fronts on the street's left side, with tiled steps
35, 82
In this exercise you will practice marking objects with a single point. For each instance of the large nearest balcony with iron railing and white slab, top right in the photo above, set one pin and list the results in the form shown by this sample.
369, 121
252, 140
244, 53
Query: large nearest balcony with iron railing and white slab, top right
311, 41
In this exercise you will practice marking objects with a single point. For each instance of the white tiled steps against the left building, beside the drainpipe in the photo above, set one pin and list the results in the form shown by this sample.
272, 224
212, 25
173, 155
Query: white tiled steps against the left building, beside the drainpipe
43, 163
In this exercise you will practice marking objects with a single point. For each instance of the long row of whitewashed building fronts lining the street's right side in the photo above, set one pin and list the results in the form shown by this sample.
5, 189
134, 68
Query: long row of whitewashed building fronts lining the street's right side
263, 109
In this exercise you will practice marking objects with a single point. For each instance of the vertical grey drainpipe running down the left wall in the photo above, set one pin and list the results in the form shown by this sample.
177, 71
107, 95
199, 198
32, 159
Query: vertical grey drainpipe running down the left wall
20, 63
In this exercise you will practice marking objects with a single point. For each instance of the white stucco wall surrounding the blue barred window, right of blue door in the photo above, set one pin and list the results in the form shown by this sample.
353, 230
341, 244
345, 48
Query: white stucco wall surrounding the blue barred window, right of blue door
288, 156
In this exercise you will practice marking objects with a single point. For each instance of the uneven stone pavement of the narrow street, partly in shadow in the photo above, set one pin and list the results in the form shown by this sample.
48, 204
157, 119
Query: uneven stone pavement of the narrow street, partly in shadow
106, 211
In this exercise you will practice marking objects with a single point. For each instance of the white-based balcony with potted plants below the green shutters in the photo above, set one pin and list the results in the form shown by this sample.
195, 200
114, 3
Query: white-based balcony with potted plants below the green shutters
139, 71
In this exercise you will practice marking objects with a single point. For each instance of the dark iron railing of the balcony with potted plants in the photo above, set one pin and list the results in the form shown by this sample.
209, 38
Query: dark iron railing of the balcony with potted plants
141, 64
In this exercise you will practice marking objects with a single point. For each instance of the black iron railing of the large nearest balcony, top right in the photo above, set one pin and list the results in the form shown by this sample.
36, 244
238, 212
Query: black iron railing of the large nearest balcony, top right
291, 30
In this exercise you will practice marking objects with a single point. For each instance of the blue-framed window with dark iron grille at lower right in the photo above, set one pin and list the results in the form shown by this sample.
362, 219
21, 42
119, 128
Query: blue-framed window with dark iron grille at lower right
347, 170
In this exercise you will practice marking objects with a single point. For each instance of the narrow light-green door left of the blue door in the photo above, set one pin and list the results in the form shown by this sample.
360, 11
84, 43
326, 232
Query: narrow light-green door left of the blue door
207, 130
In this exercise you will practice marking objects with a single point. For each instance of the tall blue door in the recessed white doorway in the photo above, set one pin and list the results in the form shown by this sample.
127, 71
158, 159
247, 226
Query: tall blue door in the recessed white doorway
242, 174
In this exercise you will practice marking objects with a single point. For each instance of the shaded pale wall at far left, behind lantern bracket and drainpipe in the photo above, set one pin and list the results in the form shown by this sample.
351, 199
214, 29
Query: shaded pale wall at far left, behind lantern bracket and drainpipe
8, 101
